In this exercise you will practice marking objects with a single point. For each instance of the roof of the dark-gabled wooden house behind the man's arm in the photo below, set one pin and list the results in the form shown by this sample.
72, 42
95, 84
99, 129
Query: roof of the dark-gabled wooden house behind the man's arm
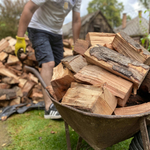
67, 28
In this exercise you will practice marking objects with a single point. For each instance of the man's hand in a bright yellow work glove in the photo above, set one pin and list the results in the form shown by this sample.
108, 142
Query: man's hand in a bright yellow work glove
20, 44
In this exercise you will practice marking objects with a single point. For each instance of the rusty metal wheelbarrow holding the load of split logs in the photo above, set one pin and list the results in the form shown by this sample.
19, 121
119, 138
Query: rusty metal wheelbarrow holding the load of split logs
99, 131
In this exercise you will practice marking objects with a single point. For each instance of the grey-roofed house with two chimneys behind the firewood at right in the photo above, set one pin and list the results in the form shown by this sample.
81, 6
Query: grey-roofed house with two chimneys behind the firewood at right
135, 28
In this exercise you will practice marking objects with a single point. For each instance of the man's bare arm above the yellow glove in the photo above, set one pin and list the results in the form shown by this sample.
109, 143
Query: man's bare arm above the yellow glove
26, 16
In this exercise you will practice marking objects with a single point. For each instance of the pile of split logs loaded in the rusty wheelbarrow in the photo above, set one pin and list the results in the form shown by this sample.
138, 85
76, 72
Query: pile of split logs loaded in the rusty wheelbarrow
108, 75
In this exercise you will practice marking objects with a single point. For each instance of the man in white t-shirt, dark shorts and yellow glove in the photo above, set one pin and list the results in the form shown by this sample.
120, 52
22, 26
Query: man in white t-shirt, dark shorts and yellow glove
43, 19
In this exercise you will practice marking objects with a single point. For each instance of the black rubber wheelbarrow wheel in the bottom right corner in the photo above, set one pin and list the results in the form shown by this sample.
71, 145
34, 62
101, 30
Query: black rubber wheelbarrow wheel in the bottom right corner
136, 143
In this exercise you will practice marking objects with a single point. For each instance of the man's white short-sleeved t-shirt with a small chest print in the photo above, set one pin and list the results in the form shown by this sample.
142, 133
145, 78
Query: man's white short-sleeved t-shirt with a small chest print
51, 14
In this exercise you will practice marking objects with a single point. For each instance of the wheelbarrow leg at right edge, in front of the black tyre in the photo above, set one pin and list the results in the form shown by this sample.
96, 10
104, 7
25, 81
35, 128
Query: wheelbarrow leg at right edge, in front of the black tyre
144, 134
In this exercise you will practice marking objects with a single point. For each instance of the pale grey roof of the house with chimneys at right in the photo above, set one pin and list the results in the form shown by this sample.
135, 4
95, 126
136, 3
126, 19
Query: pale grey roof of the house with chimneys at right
135, 27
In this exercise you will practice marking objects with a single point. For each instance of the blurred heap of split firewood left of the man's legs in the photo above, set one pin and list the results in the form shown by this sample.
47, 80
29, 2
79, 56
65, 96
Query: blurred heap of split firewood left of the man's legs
17, 86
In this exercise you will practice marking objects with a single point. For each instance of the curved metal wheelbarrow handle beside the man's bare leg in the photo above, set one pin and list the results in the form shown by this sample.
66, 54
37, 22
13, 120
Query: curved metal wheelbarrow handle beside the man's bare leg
37, 74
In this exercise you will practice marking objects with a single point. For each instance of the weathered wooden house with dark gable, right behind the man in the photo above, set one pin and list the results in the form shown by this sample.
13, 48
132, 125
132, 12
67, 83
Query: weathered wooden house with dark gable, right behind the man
94, 22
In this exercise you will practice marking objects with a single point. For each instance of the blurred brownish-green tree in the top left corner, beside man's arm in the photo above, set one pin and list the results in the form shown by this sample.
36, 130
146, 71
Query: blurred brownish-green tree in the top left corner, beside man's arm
10, 12
